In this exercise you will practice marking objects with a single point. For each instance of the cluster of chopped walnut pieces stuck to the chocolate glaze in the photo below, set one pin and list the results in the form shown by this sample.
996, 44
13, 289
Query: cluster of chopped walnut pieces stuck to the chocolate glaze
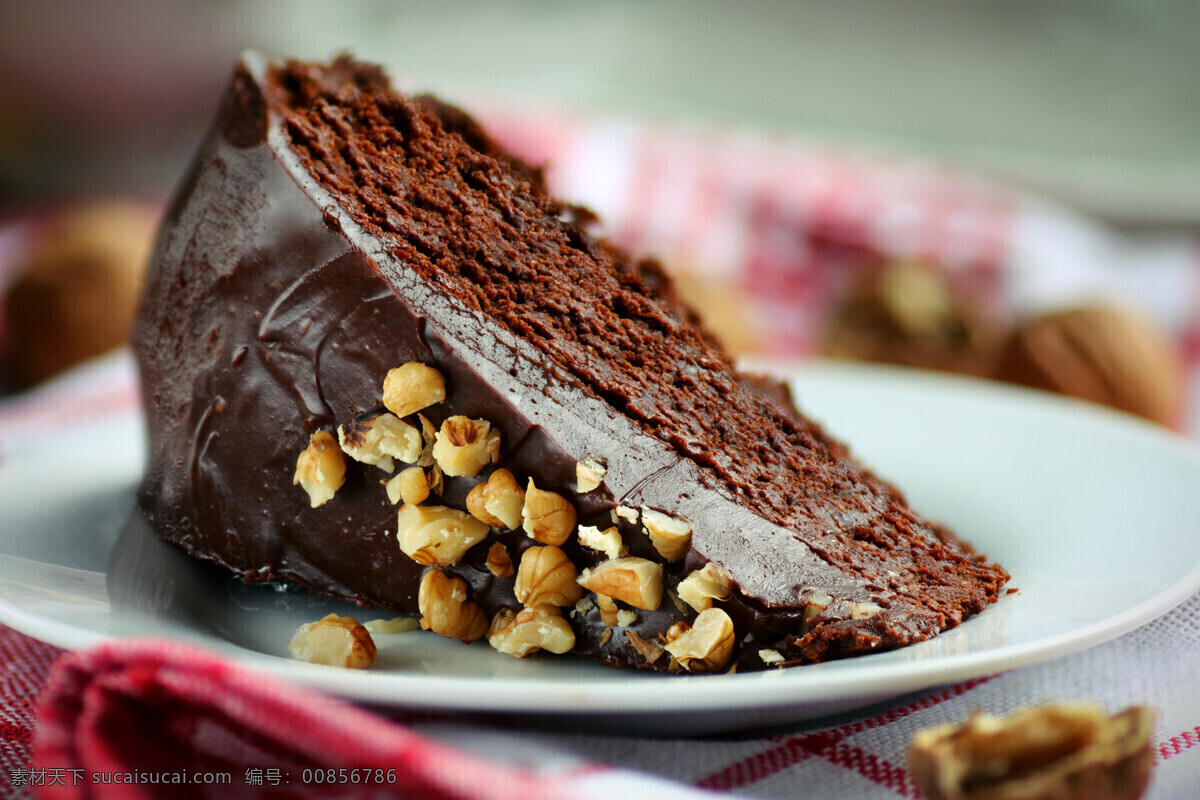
544, 579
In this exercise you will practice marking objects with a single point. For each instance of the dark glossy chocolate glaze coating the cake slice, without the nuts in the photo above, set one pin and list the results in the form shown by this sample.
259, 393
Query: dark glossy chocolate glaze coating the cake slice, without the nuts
271, 314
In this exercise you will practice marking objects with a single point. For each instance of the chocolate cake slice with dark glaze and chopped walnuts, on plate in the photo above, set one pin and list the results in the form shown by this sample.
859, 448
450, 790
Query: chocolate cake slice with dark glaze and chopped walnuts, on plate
382, 362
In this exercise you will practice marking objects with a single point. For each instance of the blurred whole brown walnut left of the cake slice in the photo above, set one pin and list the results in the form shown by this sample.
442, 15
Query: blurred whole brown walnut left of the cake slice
79, 290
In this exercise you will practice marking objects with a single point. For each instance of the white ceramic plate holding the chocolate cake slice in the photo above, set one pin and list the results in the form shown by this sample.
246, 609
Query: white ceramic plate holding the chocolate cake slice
1095, 514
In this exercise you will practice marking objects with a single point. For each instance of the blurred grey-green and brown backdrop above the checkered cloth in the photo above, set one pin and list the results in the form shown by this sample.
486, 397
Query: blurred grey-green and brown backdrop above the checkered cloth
1091, 103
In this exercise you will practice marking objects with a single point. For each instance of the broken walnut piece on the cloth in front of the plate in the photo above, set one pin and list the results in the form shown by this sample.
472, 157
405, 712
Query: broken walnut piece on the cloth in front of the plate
1069, 753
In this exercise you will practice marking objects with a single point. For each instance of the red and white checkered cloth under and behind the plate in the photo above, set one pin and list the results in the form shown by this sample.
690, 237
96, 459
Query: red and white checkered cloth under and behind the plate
783, 221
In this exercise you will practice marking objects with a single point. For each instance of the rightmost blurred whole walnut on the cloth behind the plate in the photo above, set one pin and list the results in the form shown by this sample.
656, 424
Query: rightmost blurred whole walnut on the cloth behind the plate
1101, 354
